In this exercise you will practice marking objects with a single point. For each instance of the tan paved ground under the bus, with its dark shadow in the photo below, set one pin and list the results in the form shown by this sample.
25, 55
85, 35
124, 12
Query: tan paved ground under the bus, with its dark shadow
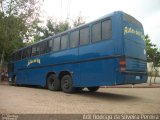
30, 100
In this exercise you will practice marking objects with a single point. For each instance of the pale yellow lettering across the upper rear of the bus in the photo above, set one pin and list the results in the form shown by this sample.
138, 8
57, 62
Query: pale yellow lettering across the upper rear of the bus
132, 31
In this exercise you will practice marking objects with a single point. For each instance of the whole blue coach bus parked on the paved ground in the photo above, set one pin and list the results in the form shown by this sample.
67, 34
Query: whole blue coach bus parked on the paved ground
108, 51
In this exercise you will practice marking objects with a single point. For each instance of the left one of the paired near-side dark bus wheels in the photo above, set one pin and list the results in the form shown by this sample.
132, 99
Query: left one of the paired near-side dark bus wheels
53, 83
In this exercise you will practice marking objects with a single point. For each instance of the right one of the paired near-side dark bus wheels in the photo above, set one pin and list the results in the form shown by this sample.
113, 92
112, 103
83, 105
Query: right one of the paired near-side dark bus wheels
66, 84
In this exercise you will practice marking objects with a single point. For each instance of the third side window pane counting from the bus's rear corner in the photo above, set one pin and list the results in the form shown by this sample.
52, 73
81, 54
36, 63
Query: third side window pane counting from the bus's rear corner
84, 36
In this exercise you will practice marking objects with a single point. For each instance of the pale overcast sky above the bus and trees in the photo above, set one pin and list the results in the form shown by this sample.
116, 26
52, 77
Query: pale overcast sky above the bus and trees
146, 11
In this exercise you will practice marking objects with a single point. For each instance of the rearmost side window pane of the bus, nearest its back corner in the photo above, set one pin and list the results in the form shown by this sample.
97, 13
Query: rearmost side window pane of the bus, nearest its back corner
106, 29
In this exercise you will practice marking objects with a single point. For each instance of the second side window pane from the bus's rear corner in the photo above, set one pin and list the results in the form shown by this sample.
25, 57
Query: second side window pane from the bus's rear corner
96, 32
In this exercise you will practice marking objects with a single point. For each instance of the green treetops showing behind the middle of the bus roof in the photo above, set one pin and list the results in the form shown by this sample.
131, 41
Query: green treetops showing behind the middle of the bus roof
54, 27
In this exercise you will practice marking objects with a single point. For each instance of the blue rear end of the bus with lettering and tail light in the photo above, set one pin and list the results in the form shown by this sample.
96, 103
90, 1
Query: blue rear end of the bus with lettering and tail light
133, 65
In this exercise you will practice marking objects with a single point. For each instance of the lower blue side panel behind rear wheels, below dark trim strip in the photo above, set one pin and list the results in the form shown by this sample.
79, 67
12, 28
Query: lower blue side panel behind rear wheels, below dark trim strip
97, 73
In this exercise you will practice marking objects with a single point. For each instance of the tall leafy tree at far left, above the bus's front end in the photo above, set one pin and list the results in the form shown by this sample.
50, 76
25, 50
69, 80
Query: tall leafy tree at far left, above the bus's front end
17, 20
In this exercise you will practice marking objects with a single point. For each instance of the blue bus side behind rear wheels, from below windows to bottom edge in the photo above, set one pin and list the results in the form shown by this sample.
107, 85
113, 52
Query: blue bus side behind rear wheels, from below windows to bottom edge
97, 64
